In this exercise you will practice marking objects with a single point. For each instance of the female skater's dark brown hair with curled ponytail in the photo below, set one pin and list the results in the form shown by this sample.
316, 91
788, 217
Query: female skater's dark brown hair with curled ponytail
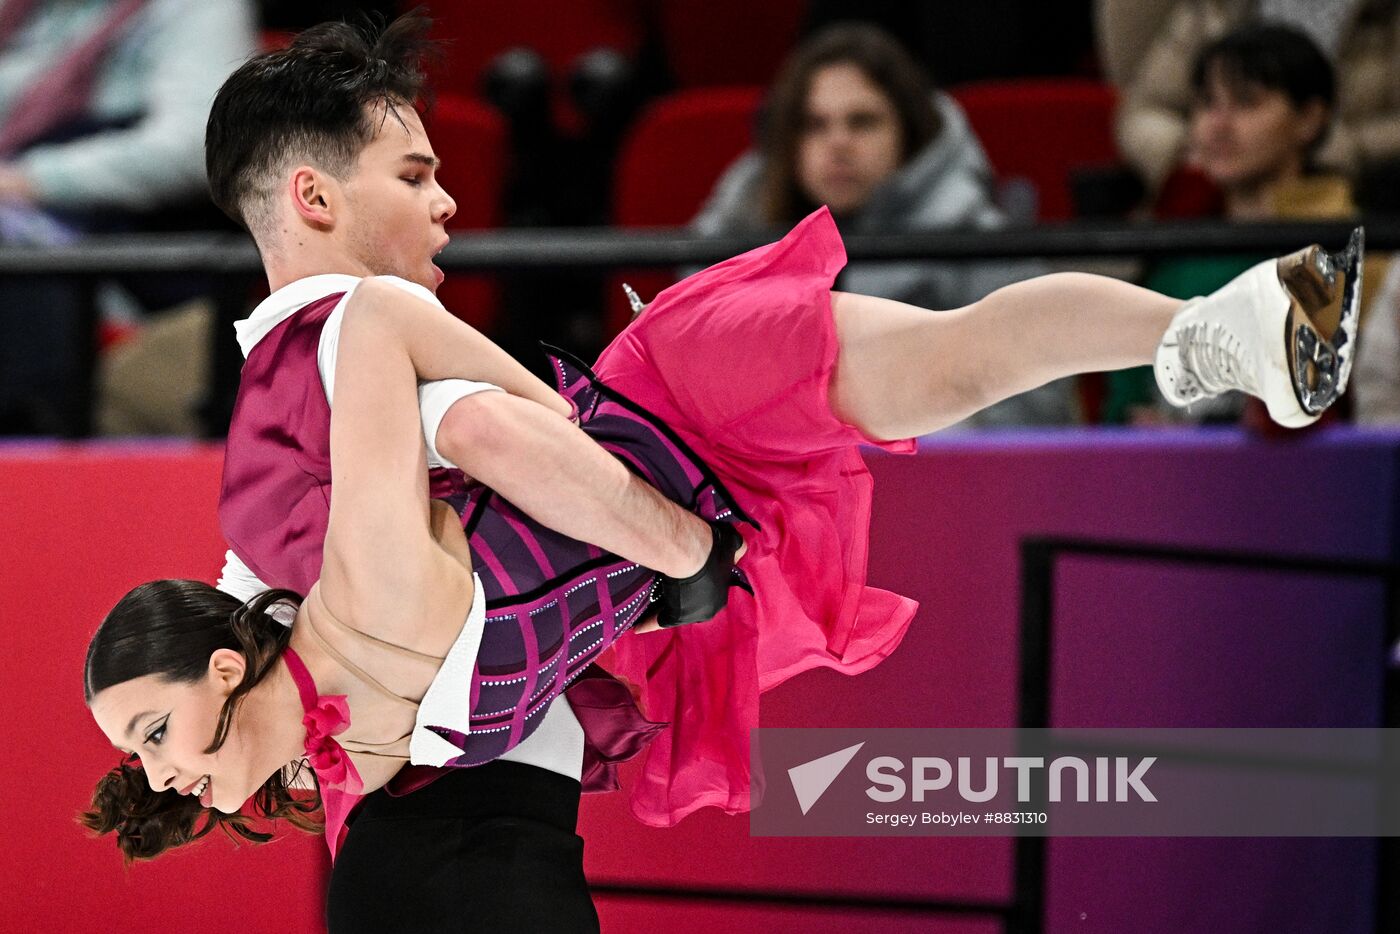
170, 629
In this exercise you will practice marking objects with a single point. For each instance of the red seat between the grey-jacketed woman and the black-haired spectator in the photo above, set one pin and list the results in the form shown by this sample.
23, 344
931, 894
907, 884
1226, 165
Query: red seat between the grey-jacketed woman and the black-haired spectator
1044, 131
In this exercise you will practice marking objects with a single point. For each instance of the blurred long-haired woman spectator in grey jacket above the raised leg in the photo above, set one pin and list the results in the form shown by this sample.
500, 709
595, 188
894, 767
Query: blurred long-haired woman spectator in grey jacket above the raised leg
853, 124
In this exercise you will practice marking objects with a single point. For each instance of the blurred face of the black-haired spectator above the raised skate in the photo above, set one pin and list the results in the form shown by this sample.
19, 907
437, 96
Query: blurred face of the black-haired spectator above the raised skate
1245, 135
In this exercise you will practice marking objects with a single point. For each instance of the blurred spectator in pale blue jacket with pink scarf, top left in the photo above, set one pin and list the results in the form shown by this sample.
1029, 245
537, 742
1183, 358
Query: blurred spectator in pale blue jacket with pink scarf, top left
103, 107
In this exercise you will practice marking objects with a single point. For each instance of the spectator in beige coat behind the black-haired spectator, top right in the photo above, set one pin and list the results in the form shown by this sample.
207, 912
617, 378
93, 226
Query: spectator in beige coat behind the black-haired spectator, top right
1361, 37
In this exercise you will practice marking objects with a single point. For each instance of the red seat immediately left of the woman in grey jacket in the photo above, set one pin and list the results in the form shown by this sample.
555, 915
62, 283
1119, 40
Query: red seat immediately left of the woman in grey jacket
671, 160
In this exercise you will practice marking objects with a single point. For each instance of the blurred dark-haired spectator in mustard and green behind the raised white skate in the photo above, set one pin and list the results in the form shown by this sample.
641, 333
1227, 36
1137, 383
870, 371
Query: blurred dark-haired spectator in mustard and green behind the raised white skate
1263, 113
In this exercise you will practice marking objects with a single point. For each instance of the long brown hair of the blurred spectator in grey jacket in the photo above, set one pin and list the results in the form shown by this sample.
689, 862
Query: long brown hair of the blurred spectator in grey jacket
884, 62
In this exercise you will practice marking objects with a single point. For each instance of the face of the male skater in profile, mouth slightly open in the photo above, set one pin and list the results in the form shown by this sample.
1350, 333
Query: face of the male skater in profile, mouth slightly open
395, 211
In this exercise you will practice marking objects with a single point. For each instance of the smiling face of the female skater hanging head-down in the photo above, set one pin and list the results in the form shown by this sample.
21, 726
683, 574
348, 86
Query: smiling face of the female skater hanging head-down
170, 725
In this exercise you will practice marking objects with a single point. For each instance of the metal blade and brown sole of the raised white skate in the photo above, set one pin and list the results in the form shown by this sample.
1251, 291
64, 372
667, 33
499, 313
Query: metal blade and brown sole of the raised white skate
1325, 292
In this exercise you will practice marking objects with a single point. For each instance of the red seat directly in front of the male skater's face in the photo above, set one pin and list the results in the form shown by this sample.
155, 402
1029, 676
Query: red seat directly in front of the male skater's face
470, 138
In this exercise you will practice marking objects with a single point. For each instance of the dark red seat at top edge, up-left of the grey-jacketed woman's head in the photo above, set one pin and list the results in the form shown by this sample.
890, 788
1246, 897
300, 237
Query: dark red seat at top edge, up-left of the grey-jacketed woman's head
726, 43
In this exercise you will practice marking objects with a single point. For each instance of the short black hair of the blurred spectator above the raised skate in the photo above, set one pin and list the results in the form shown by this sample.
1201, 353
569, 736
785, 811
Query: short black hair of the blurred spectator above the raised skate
1275, 58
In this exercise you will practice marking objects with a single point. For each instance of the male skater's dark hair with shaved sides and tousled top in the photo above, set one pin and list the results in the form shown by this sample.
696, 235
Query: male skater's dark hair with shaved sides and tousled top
316, 102
